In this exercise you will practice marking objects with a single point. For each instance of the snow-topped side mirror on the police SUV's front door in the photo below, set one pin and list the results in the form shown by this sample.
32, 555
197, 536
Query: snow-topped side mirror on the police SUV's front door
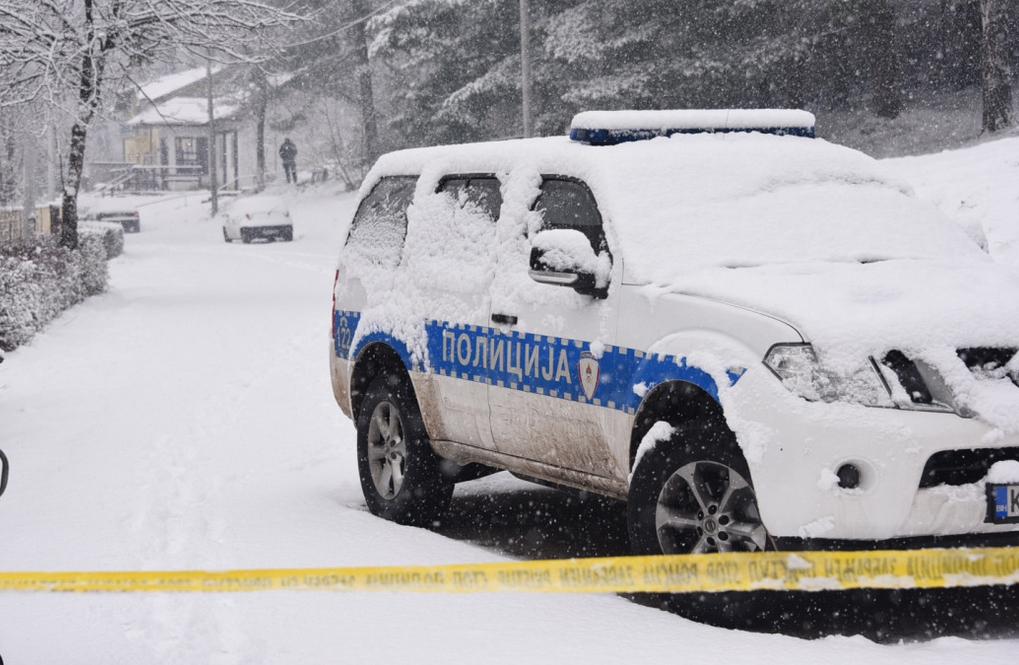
565, 258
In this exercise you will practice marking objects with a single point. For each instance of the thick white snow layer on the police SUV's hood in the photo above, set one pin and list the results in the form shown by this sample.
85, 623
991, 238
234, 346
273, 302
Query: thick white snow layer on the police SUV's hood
928, 309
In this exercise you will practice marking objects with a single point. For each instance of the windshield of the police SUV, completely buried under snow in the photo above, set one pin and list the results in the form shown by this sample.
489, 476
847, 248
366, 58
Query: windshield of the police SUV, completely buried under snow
693, 202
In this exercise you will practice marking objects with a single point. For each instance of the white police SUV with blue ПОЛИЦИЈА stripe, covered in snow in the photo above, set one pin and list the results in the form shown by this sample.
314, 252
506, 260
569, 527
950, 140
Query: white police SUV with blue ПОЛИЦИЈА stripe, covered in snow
753, 337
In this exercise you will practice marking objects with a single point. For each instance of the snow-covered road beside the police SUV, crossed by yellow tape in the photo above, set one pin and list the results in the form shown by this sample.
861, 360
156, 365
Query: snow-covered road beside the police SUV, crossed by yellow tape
185, 420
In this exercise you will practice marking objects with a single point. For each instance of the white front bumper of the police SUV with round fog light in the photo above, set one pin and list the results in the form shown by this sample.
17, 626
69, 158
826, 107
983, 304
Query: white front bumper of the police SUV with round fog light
794, 447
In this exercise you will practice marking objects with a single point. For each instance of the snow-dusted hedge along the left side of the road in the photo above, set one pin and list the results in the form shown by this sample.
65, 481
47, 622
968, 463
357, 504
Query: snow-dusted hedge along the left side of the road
41, 281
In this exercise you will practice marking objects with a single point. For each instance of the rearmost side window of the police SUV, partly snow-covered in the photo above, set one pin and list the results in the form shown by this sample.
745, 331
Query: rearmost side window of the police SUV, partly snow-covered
381, 226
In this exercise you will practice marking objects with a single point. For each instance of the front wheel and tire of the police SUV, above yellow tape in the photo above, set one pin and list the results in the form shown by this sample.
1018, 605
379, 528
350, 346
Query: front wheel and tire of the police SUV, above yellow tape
693, 494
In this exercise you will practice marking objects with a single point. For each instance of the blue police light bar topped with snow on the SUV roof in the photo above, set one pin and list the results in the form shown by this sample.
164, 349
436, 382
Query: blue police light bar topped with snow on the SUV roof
612, 128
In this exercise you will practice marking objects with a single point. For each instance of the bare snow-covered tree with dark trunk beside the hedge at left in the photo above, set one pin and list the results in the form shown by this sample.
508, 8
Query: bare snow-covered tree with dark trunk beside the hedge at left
65, 54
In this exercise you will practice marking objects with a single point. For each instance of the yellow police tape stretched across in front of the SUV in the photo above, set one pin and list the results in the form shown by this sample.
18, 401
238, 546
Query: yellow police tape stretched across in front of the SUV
687, 574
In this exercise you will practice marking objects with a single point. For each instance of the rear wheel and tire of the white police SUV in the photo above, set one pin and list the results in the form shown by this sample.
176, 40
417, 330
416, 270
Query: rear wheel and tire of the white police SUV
392, 436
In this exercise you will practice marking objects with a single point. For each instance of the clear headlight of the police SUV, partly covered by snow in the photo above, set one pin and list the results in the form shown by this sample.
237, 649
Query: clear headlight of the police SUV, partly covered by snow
798, 369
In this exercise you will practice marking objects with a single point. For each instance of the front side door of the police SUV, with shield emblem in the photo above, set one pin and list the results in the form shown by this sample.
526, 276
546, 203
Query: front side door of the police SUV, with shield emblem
547, 399
